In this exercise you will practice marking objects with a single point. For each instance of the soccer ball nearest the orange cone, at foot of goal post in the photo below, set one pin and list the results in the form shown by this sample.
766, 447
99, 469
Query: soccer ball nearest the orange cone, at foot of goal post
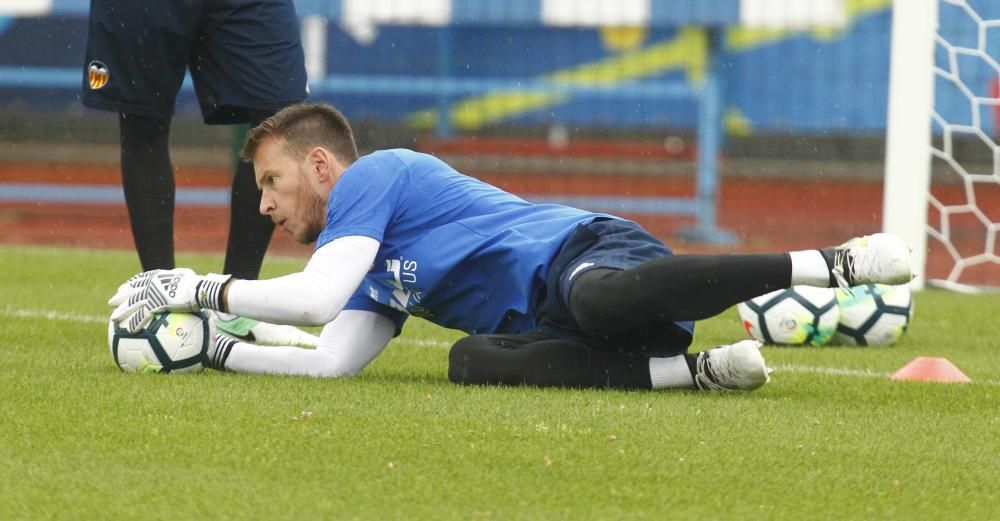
873, 314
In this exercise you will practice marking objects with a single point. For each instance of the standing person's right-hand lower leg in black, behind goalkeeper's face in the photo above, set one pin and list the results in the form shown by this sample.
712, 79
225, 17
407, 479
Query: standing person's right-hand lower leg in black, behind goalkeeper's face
249, 231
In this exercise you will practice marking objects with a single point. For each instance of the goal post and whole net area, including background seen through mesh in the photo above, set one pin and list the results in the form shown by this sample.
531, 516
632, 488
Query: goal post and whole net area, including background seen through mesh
943, 162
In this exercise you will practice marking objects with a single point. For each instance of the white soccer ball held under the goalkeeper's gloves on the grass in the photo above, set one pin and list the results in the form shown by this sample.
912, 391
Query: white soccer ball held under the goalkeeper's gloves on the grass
171, 343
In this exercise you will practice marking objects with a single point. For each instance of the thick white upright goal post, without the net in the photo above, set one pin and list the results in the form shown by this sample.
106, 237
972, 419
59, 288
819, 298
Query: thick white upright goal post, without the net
908, 128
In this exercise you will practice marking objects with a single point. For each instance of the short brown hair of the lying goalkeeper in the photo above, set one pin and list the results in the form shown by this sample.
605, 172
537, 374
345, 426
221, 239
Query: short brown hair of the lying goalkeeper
303, 127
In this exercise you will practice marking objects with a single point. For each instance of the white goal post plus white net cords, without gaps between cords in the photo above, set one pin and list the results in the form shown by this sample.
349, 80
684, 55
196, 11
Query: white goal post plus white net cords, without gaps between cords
910, 148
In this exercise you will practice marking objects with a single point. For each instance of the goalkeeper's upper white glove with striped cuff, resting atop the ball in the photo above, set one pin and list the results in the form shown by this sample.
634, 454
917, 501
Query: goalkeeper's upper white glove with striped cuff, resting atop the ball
151, 292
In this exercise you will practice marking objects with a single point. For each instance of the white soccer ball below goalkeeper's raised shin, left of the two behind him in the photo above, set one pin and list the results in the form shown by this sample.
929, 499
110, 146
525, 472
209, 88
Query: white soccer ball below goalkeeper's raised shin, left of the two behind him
797, 316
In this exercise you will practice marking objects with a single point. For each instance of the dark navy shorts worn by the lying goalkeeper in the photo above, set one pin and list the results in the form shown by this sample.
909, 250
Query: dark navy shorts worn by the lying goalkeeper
612, 244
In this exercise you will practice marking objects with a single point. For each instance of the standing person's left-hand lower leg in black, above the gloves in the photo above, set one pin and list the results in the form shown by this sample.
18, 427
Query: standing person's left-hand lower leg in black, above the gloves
148, 184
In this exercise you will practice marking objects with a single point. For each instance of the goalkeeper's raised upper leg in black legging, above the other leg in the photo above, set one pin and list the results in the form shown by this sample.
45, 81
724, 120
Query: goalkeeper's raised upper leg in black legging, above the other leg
673, 288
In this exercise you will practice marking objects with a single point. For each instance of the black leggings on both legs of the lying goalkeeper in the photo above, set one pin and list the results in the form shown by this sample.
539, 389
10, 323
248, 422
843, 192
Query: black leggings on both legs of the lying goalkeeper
625, 316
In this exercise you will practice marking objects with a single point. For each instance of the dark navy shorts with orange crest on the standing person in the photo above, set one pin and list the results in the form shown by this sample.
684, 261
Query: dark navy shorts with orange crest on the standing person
243, 55
